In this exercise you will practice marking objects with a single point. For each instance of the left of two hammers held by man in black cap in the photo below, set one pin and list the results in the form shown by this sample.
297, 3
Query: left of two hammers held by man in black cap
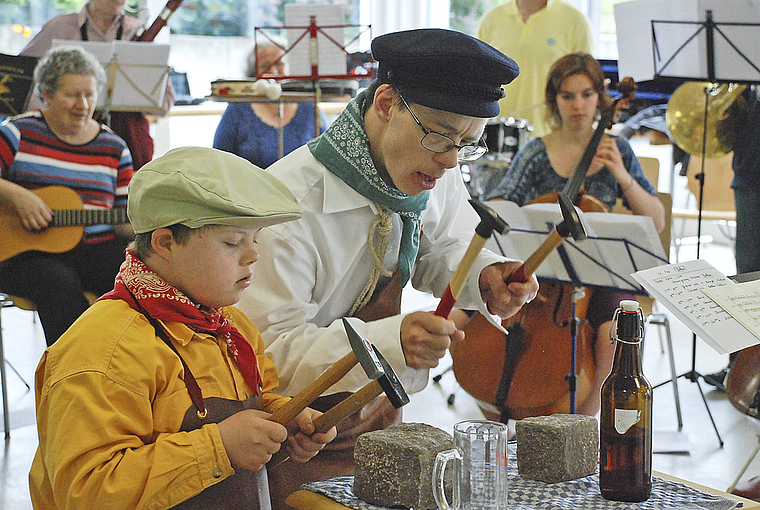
489, 221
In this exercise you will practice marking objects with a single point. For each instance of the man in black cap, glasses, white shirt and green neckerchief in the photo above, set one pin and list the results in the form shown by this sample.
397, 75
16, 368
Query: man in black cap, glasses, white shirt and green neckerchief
383, 203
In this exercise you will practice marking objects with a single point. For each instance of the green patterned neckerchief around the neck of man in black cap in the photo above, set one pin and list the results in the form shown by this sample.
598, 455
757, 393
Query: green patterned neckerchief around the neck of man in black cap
344, 150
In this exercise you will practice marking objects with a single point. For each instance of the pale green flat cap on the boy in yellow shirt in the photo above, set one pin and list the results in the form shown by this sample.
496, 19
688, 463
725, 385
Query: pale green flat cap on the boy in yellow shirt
198, 186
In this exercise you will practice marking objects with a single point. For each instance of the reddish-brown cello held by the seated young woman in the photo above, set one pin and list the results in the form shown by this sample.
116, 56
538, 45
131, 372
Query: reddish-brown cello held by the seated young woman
527, 372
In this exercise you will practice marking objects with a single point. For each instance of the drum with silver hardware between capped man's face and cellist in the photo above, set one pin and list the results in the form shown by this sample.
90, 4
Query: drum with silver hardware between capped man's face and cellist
504, 137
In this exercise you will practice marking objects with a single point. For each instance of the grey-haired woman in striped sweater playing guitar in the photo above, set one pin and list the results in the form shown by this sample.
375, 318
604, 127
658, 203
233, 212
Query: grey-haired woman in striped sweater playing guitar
62, 145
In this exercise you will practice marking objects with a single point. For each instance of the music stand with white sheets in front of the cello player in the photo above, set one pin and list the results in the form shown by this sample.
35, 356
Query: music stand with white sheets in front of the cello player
616, 246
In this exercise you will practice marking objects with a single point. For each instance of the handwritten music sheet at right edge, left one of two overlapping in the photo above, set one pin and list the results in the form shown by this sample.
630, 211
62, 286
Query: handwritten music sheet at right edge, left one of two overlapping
679, 287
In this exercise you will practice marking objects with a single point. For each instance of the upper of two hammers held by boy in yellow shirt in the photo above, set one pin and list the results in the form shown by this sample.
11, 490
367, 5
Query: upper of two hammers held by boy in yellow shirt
361, 353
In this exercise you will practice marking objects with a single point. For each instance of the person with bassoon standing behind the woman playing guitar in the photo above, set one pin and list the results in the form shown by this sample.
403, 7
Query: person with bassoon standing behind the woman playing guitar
103, 21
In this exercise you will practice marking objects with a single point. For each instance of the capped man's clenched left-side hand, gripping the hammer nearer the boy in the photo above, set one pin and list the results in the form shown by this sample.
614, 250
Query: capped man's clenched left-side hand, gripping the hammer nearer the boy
425, 337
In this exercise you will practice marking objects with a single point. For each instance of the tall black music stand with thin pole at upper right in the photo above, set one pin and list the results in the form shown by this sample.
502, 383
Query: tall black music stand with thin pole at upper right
743, 71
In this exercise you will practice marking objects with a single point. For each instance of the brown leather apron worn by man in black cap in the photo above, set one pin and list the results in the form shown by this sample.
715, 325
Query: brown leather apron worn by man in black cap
337, 458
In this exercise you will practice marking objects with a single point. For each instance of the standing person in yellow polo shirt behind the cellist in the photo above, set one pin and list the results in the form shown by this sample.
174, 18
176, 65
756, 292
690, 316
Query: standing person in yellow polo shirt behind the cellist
535, 33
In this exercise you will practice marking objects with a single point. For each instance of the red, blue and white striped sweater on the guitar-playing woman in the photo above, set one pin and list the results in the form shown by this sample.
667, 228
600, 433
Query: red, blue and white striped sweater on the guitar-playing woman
32, 156
